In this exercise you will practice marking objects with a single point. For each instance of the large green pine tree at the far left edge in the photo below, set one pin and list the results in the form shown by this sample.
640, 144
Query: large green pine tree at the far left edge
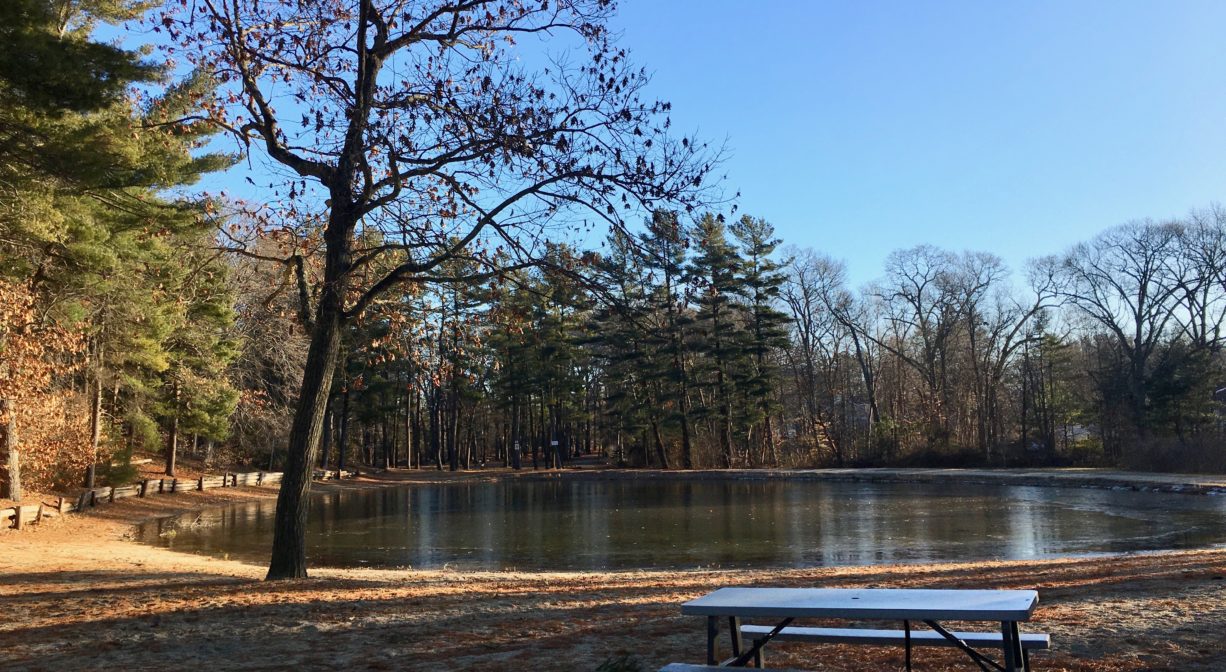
83, 220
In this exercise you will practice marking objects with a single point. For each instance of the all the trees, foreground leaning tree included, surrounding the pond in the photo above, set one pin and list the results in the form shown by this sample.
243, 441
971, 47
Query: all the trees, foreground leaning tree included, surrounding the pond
413, 290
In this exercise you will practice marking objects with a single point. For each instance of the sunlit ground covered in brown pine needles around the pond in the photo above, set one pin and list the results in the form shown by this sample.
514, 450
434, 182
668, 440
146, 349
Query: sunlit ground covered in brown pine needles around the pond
78, 594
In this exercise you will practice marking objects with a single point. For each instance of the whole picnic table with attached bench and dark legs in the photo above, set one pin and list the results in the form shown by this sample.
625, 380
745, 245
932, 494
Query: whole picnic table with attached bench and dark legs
783, 606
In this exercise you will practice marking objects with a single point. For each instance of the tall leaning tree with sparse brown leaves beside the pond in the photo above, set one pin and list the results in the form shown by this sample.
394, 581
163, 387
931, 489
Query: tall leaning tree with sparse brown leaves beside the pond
419, 121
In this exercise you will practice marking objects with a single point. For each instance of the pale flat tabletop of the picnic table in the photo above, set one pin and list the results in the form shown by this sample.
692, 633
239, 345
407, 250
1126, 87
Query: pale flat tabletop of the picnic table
869, 604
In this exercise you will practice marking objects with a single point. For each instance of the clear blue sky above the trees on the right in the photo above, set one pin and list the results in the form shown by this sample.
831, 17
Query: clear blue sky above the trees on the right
1017, 128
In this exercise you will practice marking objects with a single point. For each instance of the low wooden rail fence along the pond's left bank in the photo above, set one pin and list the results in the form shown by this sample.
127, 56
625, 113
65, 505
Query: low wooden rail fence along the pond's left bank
20, 517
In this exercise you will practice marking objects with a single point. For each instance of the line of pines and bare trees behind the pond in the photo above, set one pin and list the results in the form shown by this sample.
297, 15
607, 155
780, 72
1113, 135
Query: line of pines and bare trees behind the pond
703, 345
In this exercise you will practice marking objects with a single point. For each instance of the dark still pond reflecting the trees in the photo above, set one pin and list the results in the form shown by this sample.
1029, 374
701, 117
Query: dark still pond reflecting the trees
592, 524
